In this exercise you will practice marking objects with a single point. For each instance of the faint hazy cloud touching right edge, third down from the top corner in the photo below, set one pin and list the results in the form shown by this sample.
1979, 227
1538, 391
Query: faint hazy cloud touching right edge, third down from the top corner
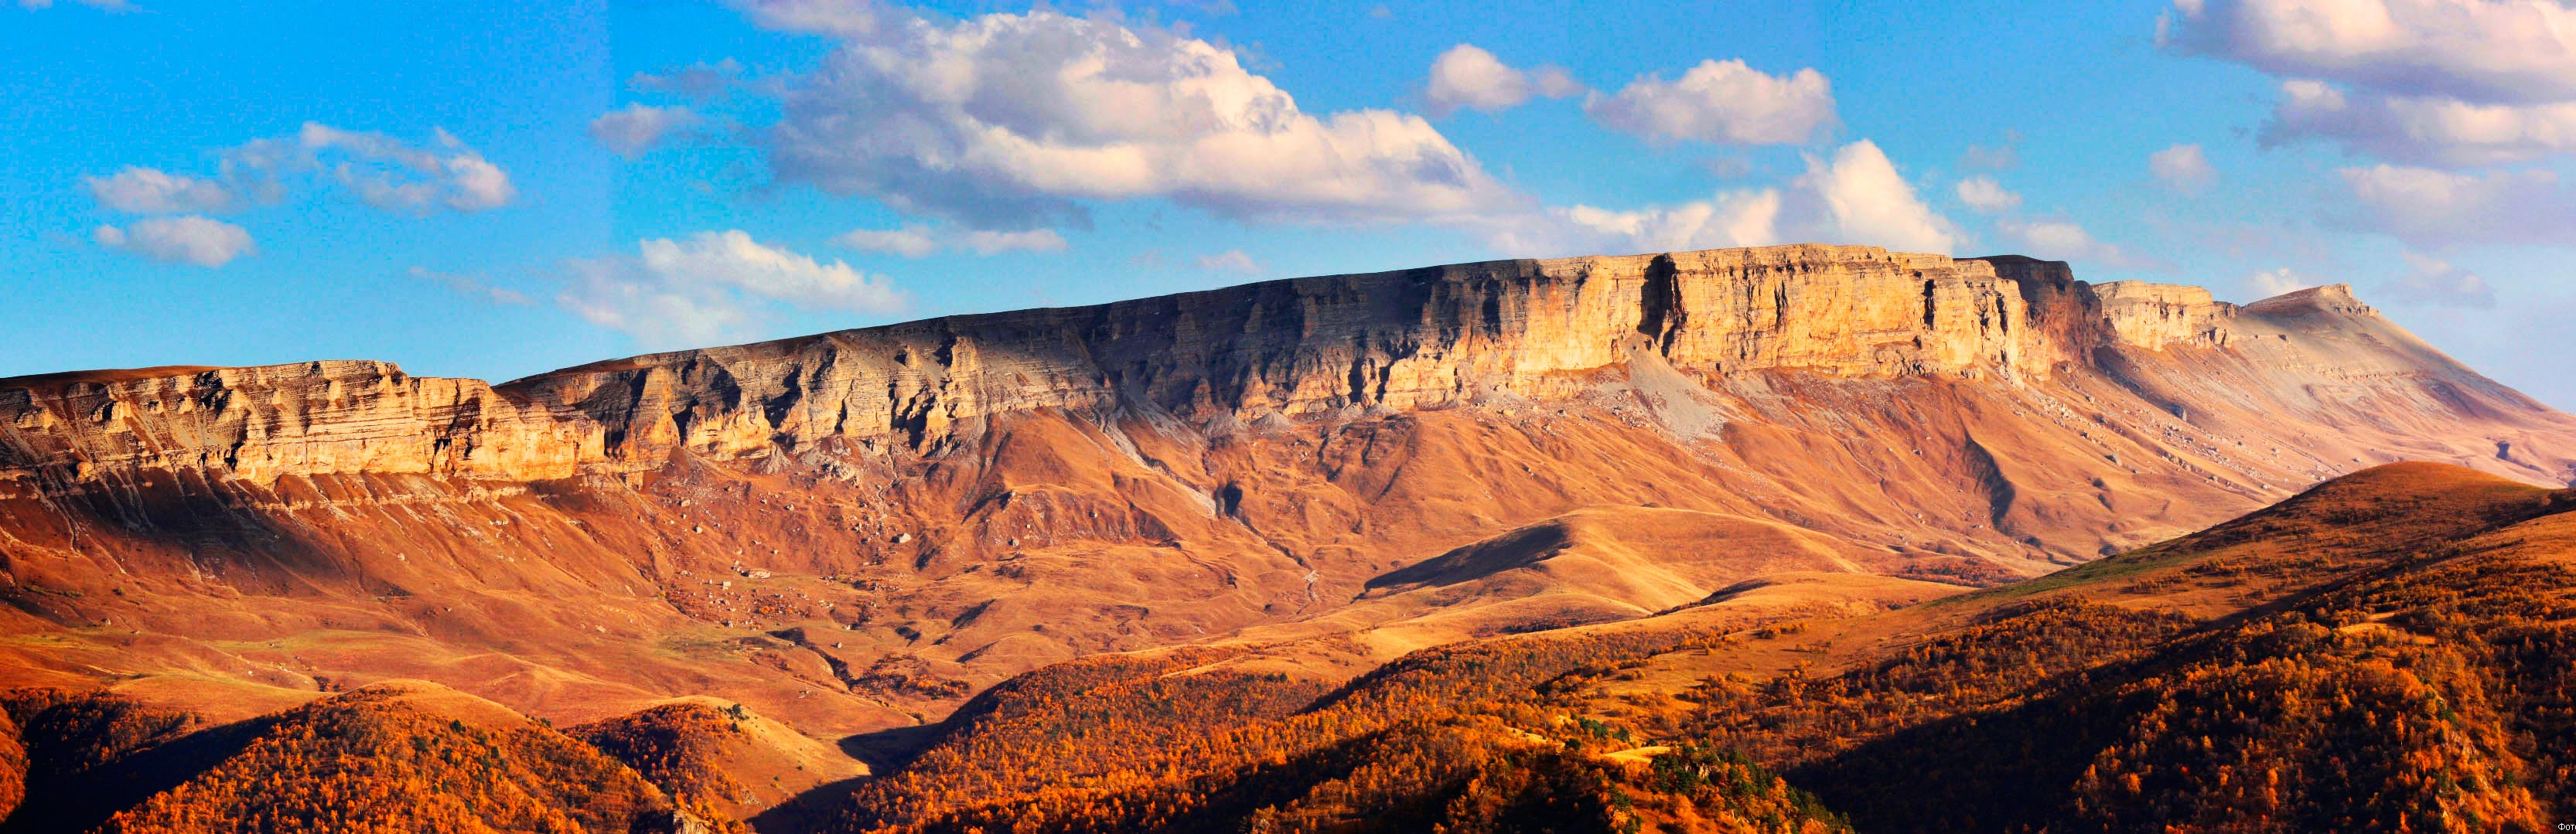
2436, 207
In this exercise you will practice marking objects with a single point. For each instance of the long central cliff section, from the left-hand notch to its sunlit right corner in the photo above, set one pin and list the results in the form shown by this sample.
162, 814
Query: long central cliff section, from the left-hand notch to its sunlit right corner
1403, 341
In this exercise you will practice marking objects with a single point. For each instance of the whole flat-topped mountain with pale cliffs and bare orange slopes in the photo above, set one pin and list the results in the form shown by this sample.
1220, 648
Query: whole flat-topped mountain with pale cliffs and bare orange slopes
1292, 493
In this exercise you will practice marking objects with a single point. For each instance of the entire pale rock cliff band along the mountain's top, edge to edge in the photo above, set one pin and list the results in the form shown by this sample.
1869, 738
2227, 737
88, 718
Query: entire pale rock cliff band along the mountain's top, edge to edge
1215, 359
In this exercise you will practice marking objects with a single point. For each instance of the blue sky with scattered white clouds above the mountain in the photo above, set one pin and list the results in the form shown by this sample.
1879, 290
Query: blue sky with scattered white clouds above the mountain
501, 189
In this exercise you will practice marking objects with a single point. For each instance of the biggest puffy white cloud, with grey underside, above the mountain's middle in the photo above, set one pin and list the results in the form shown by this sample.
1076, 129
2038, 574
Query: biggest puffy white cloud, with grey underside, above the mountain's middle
1009, 122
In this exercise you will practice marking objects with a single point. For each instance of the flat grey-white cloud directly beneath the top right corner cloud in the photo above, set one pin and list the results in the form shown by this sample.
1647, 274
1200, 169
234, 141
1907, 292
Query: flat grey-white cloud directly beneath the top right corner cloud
2420, 130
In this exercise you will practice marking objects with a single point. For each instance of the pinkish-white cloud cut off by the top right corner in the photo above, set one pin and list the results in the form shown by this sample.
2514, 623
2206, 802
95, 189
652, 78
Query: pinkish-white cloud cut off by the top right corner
2472, 50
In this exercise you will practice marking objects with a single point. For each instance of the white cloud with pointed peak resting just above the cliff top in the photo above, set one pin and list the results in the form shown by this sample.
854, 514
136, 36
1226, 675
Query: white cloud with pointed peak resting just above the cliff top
1851, 197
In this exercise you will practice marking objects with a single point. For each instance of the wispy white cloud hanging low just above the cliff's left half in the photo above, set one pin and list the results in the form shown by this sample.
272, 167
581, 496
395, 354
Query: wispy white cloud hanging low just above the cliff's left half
715, 287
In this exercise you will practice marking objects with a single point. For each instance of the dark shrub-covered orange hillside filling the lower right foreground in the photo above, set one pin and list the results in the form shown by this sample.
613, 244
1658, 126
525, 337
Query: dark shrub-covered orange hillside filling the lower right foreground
2384, 653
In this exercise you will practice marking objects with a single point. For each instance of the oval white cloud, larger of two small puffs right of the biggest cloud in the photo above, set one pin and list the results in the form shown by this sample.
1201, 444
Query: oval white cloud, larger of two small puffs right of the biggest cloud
1722, 102
